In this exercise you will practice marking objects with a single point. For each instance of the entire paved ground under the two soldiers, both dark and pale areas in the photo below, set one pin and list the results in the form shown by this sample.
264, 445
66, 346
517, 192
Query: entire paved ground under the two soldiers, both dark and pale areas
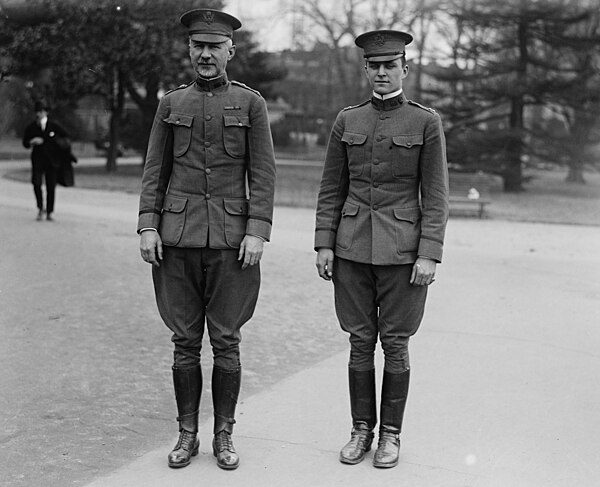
504, 367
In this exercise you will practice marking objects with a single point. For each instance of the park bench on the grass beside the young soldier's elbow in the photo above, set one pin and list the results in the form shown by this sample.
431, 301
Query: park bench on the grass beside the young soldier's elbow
469, 192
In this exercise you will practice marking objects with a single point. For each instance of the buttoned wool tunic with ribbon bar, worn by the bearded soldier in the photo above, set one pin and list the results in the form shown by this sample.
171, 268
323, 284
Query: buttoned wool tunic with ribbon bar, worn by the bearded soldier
209, 144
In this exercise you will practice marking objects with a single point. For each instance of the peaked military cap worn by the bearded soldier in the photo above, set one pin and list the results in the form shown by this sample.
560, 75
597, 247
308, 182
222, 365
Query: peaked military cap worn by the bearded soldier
212, 26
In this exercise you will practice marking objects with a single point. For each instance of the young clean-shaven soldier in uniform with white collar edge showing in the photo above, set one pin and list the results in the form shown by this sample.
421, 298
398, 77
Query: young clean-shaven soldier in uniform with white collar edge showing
380, 224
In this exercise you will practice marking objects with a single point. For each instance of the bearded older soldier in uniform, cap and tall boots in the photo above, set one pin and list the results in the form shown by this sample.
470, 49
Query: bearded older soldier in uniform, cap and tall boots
205, 211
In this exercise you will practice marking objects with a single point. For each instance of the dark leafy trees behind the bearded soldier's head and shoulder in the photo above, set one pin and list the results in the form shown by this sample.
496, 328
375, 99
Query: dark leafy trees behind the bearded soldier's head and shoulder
132, 49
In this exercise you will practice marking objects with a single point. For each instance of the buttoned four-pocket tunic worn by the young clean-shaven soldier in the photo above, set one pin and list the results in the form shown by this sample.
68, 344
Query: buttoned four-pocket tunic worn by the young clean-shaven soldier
384, 192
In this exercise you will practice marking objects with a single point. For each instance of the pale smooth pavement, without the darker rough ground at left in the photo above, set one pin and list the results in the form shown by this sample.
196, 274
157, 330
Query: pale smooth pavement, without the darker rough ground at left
503, 389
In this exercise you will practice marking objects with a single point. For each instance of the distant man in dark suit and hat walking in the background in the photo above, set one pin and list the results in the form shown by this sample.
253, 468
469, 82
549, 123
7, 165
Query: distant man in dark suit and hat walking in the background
44, 137
